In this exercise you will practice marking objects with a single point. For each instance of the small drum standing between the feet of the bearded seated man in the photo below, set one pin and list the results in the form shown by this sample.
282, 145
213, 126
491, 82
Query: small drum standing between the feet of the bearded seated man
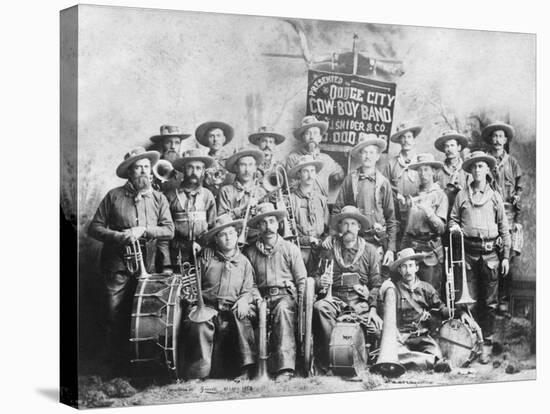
347, 350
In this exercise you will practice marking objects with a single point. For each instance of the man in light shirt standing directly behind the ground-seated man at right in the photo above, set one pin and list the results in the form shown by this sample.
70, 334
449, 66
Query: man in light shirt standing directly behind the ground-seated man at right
427, 221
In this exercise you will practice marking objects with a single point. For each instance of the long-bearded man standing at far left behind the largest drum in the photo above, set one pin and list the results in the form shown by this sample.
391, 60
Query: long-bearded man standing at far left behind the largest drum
130, 213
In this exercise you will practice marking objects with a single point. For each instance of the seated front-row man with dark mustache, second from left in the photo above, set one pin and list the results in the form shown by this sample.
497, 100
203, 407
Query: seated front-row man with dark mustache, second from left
280, 277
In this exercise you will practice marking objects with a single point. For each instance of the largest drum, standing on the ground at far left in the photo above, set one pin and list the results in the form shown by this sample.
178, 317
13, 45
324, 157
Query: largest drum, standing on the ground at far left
156, 319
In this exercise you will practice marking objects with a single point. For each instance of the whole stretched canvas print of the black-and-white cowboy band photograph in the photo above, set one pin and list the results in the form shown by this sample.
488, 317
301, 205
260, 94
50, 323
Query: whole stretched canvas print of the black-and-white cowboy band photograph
260, 206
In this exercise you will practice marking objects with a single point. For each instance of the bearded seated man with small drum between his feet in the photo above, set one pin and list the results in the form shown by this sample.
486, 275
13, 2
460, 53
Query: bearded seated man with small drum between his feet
354, 282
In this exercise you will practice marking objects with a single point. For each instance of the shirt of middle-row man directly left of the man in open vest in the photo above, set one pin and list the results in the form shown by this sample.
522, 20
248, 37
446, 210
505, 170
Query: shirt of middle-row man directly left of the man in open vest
311, 211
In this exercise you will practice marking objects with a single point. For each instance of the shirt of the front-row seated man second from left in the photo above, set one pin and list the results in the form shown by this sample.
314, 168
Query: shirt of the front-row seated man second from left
282, 264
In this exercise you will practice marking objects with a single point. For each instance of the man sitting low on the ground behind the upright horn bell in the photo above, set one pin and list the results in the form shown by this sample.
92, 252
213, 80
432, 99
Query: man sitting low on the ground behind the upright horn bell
415, 302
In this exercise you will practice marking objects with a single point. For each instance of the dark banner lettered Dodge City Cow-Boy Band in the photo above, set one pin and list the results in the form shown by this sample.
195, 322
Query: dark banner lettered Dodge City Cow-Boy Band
353, 106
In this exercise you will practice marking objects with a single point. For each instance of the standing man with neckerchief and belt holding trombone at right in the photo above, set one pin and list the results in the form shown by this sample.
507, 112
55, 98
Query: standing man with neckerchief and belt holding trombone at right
478, 212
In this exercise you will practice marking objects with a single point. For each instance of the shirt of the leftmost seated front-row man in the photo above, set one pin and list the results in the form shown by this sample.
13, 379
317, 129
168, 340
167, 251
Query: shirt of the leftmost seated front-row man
227, 279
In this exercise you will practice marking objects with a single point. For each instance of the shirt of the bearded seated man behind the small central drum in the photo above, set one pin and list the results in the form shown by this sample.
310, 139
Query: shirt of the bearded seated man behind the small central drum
362, 259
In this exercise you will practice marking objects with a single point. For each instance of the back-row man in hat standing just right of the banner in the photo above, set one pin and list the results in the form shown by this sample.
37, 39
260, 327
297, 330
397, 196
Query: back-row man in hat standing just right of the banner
403, 180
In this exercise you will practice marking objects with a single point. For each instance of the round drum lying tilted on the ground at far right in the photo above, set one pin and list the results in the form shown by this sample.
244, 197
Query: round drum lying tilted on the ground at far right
458, 343
